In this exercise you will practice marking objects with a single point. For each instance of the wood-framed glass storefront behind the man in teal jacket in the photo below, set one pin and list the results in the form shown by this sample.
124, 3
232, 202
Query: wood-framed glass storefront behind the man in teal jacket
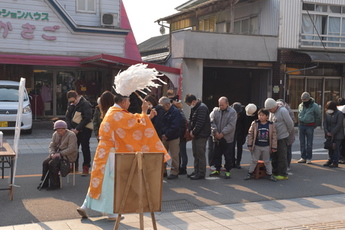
323, 79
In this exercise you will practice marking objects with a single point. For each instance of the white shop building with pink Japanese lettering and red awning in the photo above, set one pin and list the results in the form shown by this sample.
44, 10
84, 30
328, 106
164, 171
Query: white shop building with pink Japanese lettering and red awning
62, 45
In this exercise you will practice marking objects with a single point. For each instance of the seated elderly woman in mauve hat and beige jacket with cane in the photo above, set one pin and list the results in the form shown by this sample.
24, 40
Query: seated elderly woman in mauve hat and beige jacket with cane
63, 144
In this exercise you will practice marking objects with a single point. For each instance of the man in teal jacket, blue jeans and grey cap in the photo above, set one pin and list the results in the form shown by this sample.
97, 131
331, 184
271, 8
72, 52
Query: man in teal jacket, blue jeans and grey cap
309, 116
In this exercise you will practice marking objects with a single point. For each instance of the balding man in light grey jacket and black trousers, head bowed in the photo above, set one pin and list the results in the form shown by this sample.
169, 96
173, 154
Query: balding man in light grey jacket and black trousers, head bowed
223, 127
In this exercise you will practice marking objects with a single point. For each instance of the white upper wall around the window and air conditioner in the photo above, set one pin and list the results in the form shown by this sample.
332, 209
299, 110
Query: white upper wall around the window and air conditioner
90, 19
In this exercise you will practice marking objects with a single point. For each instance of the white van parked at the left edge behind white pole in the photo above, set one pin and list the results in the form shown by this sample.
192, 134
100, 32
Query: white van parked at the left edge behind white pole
9, 94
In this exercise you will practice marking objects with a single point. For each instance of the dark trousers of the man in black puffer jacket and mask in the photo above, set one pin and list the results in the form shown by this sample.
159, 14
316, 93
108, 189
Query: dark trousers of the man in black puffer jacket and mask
199, 154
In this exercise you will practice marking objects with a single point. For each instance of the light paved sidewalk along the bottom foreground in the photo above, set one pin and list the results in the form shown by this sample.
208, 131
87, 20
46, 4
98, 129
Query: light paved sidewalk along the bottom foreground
321, 212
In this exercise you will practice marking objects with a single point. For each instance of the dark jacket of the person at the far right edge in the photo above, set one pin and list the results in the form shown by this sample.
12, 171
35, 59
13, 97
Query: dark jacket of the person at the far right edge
333, 124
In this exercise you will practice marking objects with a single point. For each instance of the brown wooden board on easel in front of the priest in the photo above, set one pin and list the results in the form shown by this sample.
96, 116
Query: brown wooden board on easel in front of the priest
143, 192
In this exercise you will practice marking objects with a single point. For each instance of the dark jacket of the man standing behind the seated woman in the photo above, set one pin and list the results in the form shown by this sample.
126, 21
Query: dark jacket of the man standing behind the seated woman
84, 107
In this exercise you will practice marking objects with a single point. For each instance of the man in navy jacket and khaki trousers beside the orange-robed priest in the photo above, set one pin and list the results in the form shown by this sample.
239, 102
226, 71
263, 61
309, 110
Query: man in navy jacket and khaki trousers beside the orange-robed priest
171, 132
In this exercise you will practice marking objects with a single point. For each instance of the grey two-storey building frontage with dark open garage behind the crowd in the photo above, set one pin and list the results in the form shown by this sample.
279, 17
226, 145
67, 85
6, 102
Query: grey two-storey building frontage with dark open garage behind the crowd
249, 50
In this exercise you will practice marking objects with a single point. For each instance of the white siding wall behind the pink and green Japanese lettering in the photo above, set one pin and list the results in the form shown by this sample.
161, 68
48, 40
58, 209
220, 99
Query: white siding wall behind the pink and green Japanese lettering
67, 41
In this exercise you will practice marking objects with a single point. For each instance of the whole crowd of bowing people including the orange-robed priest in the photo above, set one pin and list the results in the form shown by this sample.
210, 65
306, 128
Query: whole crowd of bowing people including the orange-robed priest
163, 127
